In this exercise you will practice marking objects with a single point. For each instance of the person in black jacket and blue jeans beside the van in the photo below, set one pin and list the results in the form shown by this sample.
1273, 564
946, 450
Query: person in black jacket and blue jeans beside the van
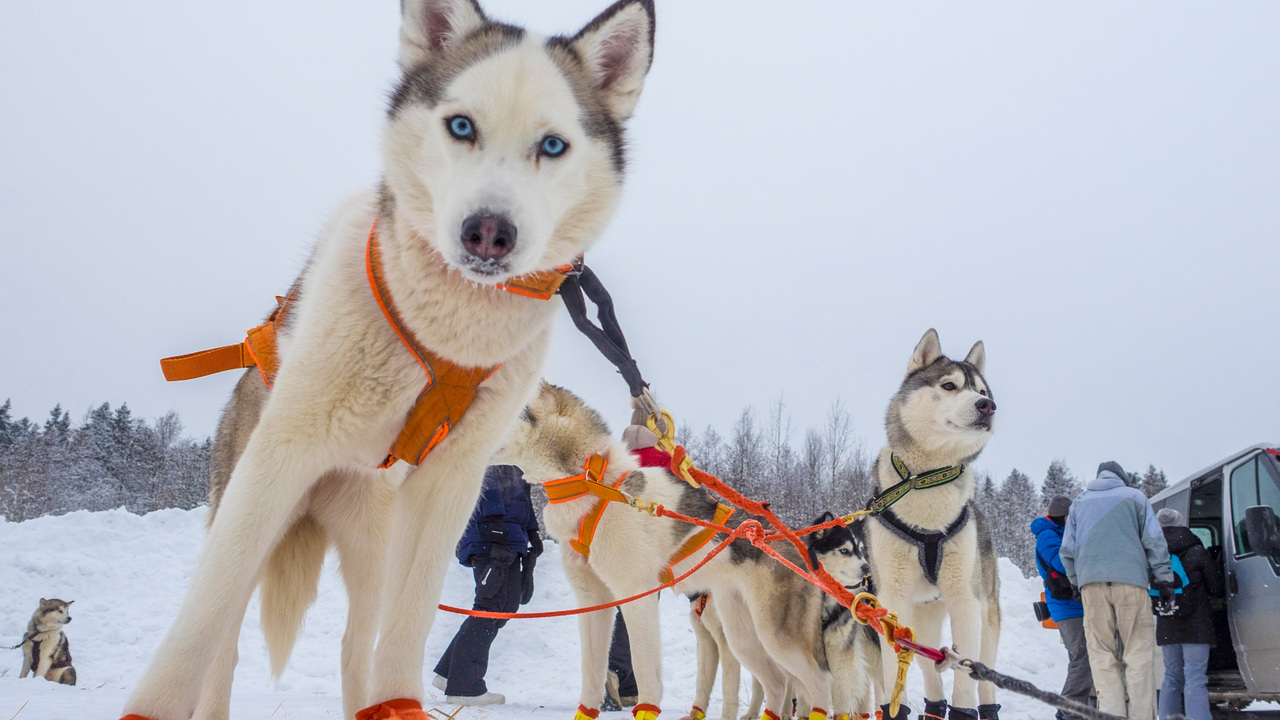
1186, 637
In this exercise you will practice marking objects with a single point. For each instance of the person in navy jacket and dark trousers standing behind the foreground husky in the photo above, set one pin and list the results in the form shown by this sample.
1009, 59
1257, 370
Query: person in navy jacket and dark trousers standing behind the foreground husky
501, 545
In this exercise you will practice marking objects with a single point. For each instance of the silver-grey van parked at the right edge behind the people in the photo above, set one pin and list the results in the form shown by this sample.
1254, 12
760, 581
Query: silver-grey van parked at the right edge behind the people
1232, 507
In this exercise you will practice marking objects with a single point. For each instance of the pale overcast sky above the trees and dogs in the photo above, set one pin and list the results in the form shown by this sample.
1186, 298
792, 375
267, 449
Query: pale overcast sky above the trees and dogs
1092, 189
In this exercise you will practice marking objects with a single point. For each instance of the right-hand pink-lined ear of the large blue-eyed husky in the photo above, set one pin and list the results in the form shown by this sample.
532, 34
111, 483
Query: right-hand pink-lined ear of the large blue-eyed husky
618, 51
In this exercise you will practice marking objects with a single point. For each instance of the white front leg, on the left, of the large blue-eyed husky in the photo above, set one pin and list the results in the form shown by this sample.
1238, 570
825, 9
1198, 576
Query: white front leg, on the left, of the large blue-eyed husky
272, 477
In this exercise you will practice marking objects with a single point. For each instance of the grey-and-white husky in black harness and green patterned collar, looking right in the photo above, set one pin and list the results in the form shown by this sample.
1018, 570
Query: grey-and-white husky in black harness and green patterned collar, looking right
931, 552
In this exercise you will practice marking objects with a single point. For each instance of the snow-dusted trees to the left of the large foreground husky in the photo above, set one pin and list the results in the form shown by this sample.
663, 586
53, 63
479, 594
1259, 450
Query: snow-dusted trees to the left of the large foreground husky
111, 461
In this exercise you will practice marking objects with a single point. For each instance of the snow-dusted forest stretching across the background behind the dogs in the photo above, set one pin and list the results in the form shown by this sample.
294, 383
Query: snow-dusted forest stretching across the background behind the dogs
113, 461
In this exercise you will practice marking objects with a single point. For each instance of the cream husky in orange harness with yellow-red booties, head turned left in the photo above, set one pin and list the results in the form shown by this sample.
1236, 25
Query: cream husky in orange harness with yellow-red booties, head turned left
772, 618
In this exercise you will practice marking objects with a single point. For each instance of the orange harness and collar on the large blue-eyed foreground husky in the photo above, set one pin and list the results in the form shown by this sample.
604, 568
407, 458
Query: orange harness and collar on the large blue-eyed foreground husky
450, 388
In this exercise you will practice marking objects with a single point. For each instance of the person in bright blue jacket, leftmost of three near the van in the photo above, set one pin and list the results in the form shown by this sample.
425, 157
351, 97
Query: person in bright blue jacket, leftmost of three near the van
1063, 607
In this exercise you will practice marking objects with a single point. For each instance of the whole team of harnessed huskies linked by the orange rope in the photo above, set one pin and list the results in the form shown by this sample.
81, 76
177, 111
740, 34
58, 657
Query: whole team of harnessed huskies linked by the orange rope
418, 331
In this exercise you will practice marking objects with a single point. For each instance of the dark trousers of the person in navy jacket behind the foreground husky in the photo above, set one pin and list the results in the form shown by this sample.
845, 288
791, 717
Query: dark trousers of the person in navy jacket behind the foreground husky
465, 663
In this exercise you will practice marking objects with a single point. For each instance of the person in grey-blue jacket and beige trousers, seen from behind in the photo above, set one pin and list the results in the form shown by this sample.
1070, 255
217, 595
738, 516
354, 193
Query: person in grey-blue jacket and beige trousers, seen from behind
1114, 550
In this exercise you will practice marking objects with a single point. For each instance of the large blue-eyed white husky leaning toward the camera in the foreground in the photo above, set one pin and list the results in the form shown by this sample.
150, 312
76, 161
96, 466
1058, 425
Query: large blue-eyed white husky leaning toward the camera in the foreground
502, 156
